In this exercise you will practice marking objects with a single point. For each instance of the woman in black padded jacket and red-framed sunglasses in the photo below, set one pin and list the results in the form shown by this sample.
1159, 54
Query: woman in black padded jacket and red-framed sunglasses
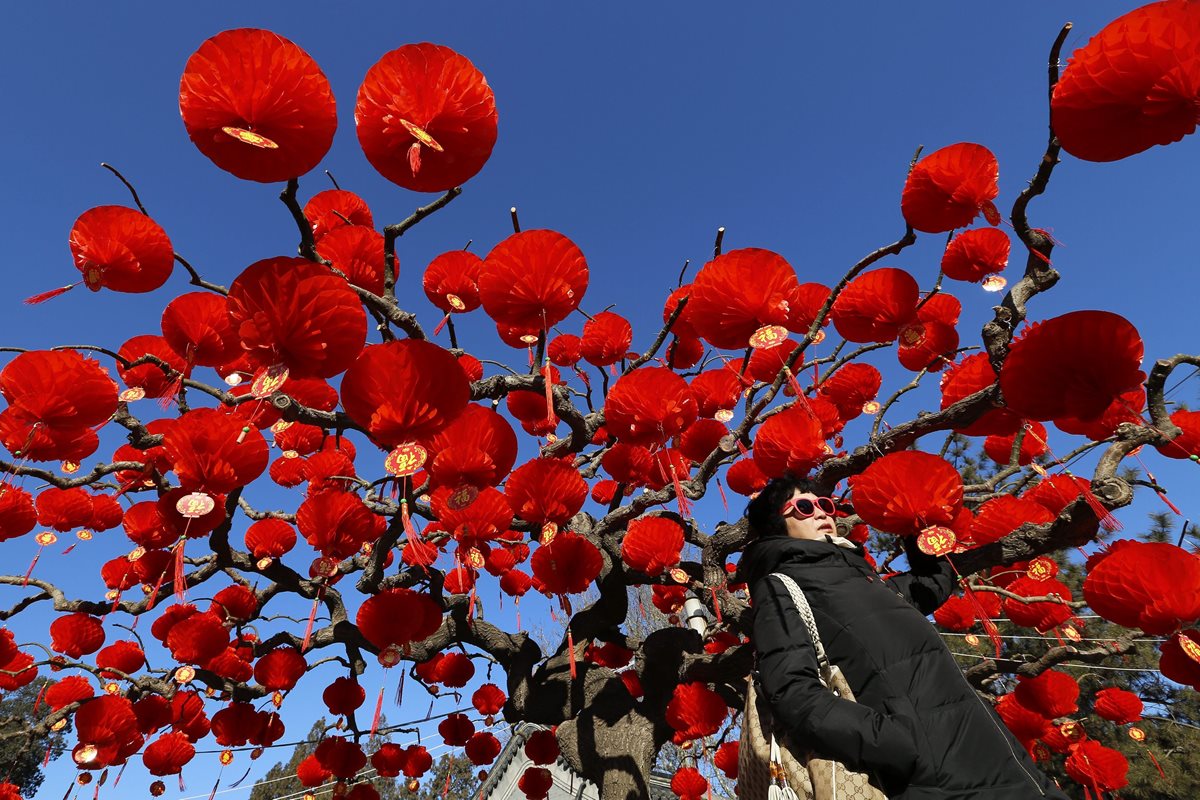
917, 726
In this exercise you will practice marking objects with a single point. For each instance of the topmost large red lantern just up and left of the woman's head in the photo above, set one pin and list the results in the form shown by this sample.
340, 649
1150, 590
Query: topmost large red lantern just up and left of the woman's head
740, 292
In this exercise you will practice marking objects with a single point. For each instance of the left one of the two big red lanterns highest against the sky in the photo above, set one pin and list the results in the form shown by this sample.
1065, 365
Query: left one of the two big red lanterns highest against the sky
257, 106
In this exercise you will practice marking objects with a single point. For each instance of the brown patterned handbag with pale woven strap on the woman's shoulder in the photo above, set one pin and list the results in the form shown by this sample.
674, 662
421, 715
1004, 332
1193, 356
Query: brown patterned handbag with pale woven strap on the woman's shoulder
773, 771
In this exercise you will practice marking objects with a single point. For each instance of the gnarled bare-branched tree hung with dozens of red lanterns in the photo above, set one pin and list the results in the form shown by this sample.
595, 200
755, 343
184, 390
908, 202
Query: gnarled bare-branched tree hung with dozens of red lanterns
388, 456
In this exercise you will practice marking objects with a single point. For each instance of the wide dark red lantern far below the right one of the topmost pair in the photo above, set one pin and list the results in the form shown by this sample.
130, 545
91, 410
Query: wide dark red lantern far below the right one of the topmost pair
435, 392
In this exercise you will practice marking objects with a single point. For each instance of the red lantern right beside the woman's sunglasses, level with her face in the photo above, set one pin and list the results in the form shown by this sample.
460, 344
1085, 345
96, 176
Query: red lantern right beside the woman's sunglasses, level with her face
905, 492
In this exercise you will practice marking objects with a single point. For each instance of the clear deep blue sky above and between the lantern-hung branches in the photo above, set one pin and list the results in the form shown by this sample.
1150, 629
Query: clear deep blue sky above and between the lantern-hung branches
637, 131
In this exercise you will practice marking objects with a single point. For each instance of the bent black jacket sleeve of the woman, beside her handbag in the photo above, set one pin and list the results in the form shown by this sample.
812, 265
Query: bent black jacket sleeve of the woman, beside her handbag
812, 715
